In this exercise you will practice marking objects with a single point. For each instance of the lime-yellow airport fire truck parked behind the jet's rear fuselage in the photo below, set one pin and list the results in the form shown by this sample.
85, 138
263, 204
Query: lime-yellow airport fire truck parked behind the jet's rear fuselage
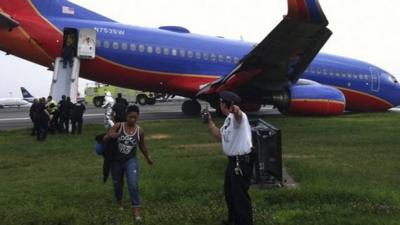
95, 95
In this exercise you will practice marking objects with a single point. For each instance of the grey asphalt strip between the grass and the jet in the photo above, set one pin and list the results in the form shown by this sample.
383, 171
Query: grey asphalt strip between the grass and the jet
14, 118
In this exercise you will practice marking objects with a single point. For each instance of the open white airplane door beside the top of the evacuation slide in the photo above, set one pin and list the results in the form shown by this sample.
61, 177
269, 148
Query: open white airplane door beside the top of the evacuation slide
87, 44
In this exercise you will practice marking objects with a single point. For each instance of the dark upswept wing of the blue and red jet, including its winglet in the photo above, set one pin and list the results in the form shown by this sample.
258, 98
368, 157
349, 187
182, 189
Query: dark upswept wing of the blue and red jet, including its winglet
281, 57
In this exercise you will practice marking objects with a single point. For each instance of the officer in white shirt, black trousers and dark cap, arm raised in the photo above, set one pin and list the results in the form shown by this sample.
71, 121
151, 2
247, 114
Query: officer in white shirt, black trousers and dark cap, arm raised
235, 136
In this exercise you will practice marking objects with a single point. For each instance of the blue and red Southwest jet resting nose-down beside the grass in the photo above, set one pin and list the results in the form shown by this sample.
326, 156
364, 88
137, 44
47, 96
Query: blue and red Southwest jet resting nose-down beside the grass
285, 69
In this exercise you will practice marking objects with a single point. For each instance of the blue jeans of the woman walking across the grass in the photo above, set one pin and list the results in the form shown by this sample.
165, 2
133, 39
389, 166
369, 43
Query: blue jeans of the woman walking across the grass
131, 169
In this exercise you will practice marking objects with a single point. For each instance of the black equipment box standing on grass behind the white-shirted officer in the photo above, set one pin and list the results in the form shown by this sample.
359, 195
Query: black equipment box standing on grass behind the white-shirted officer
267, 153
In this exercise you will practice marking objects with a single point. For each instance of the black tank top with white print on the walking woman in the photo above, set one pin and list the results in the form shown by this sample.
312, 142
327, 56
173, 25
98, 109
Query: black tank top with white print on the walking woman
127, 144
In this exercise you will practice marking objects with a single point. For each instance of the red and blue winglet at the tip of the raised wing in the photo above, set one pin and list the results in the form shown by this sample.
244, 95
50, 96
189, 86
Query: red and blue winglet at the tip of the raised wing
307, 11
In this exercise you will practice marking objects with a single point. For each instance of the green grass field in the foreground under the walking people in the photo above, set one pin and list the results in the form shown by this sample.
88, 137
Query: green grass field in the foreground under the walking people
348, 169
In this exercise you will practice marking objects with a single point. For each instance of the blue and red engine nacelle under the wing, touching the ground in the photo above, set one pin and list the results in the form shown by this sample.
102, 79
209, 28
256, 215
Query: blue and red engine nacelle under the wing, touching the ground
316, 100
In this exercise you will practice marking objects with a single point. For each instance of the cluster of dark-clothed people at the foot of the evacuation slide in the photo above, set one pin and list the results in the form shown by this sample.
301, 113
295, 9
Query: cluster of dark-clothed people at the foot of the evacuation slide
49, 116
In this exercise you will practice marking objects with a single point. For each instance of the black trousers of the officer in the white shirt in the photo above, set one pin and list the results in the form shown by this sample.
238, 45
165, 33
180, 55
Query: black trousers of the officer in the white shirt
236, 189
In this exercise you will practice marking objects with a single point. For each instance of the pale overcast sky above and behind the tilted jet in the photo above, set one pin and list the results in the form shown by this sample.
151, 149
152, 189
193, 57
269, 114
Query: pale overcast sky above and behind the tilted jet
366, 30
